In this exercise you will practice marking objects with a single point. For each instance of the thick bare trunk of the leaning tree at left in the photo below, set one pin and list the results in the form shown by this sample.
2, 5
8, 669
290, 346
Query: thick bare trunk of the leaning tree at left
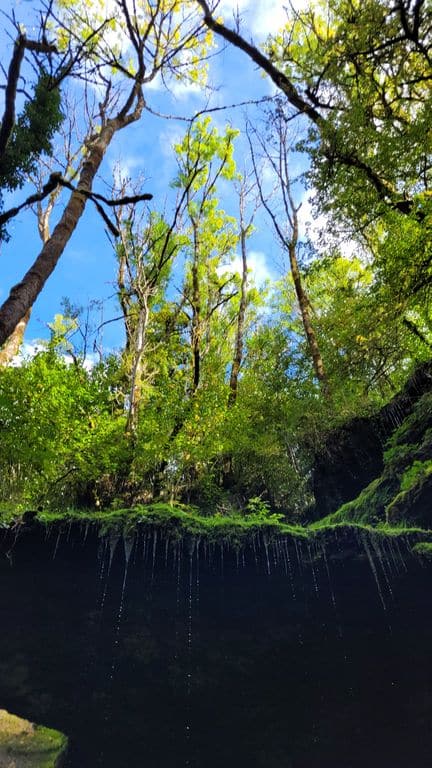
24, 294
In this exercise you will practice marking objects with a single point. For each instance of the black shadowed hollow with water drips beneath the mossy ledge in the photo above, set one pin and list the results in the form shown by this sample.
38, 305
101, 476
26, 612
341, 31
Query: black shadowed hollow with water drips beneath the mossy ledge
271, 658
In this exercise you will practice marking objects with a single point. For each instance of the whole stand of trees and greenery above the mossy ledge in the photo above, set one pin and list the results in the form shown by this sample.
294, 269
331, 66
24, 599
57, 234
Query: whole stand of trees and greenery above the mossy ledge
225, 386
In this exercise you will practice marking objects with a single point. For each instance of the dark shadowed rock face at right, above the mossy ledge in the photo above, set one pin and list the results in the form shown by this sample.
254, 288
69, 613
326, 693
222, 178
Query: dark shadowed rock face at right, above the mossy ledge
354, 455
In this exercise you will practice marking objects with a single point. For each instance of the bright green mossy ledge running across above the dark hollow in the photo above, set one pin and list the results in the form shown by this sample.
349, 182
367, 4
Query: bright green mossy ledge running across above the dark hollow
397, 502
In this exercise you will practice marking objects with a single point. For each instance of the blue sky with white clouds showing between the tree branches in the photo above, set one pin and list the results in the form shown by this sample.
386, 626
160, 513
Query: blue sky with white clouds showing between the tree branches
86, 270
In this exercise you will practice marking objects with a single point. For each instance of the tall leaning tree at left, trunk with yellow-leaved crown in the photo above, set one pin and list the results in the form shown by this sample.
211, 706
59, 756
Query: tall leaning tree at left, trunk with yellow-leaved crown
162, 38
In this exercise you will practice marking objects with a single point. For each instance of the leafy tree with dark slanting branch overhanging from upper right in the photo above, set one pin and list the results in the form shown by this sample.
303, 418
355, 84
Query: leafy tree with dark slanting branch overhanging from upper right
359, 77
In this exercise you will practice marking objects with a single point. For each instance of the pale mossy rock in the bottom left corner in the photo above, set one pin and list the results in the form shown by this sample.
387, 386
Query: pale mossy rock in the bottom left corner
25, 745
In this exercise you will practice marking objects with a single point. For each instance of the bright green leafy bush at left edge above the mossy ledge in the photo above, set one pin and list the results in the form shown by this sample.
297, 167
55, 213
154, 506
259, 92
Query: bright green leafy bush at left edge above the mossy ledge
61, 434
